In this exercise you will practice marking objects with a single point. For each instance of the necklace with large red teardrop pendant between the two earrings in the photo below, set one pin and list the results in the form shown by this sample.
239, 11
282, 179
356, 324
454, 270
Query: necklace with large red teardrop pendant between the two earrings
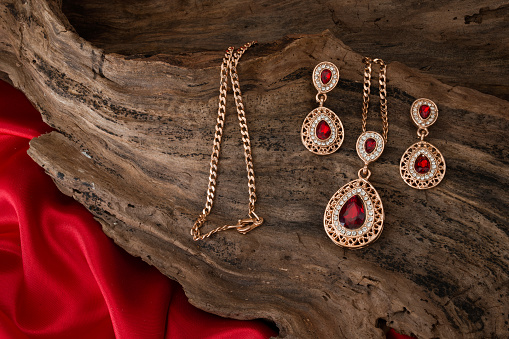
354, 215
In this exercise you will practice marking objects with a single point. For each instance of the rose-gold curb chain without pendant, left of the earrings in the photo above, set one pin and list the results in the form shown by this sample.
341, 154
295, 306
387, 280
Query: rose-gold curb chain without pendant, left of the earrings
229, 67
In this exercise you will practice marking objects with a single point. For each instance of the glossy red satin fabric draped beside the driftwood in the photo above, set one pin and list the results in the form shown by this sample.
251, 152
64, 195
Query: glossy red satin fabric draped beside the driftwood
61, 277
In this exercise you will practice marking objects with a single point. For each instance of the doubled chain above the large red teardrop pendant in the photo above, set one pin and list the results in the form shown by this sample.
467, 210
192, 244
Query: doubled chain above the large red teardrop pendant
382, 82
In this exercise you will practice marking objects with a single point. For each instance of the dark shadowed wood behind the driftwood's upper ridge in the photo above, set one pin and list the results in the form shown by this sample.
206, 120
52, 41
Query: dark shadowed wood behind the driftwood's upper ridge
456, 41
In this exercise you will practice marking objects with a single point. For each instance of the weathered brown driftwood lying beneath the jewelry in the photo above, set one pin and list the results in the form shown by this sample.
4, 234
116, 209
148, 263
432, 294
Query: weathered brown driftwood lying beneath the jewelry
134, 135
